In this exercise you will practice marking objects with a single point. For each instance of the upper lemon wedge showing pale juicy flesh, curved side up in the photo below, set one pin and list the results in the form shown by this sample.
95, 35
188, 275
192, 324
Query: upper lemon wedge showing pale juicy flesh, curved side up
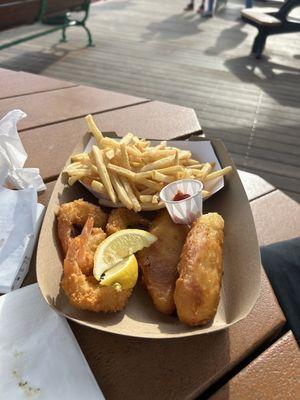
118, 246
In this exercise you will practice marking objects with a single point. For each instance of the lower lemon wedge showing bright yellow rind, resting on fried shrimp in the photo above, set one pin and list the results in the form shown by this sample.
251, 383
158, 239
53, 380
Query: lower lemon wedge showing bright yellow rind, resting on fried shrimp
125, 273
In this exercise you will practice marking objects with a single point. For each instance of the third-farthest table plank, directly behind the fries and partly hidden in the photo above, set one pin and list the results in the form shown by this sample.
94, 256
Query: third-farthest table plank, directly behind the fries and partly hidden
56, 142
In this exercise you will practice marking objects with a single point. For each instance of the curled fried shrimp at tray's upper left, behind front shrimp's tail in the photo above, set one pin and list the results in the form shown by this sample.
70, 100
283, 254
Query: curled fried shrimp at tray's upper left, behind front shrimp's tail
72, 217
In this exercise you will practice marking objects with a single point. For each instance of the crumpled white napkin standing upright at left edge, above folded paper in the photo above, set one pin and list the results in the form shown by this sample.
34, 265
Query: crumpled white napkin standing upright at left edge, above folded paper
13, 154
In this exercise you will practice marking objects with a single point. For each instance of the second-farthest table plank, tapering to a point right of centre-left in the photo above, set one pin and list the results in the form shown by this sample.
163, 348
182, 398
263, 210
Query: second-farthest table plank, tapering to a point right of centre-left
59, 105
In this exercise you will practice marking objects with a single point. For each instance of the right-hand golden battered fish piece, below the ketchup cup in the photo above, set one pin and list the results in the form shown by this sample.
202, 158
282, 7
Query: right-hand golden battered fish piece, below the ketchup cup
198, 287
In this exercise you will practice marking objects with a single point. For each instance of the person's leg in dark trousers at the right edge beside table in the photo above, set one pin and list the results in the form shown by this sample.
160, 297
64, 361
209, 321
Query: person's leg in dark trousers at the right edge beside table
281, 262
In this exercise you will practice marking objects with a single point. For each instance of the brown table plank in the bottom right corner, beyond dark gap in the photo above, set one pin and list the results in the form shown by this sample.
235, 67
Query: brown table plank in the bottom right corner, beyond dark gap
272, 375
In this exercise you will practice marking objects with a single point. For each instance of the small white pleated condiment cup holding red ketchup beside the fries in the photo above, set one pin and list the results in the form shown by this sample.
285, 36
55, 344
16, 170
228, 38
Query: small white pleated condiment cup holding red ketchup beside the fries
187, 210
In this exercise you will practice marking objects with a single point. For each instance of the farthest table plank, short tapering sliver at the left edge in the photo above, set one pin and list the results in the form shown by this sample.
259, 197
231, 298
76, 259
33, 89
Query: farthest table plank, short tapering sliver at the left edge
23, 83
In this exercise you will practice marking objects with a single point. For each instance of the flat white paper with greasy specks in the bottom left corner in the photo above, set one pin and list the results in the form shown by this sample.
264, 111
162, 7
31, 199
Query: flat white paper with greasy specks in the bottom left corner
40, 358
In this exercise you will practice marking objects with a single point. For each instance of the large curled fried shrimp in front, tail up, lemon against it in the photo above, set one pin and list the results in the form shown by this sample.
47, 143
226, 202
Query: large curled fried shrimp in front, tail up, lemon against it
85, 292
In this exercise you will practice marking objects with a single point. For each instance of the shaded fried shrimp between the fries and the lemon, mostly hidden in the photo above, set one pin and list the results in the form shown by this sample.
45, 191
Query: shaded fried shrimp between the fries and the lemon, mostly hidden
122, 218
